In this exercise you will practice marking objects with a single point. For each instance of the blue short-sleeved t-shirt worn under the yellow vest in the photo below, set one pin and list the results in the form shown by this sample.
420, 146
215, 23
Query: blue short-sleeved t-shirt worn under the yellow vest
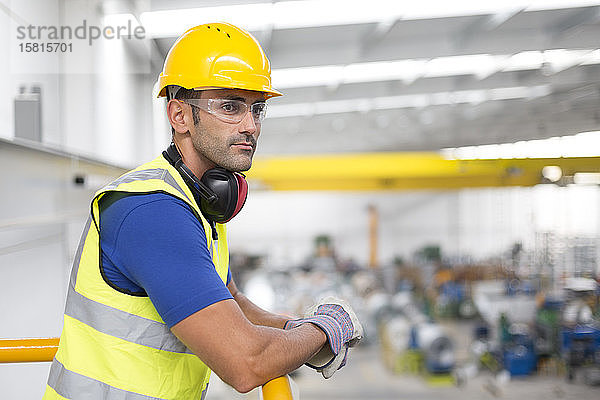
152, 244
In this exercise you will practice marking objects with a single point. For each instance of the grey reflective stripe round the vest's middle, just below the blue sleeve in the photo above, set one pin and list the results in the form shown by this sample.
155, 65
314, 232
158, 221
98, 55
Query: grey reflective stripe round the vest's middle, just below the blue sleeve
121, 324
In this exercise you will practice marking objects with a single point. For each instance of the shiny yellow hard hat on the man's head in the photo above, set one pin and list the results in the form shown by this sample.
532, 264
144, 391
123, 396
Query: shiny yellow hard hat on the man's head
217, 55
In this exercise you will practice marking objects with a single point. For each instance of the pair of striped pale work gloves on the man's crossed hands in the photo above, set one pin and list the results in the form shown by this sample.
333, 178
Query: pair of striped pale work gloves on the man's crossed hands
336, 318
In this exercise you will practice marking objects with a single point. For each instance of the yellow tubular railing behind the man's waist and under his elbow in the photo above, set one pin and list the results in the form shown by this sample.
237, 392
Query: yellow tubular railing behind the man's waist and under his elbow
43, 349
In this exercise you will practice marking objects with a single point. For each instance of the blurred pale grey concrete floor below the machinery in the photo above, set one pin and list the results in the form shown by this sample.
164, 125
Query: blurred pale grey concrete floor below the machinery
365, 377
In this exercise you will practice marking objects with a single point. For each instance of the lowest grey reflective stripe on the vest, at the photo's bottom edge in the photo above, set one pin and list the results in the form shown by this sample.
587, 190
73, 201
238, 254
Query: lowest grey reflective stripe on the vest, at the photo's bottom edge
72, 385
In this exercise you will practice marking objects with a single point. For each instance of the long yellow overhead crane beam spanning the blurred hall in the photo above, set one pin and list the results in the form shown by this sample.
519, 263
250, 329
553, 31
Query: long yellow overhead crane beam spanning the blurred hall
404, 171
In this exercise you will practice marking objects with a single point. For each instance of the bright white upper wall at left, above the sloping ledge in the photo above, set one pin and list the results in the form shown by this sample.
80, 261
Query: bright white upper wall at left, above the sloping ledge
97, 99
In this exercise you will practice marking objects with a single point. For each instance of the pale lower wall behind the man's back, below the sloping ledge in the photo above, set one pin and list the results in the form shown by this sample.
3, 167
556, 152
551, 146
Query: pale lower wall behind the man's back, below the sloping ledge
42, 214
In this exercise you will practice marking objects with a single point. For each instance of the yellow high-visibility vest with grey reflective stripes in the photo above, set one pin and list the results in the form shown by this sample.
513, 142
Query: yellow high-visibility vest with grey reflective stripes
115, 345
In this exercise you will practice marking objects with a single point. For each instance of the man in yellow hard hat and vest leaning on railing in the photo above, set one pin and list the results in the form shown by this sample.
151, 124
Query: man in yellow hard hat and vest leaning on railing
151, 307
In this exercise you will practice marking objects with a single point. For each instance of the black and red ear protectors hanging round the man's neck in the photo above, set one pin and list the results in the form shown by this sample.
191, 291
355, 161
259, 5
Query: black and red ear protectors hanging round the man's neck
220, 193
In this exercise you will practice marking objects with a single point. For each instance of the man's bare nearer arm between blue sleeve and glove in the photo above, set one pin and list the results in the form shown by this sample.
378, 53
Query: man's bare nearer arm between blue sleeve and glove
243, 354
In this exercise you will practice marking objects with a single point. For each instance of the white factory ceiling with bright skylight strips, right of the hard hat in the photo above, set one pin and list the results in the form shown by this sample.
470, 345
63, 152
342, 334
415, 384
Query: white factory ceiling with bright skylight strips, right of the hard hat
427, 111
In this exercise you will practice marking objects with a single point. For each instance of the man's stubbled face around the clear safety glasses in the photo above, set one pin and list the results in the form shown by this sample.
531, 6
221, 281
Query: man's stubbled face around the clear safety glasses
226, 144
